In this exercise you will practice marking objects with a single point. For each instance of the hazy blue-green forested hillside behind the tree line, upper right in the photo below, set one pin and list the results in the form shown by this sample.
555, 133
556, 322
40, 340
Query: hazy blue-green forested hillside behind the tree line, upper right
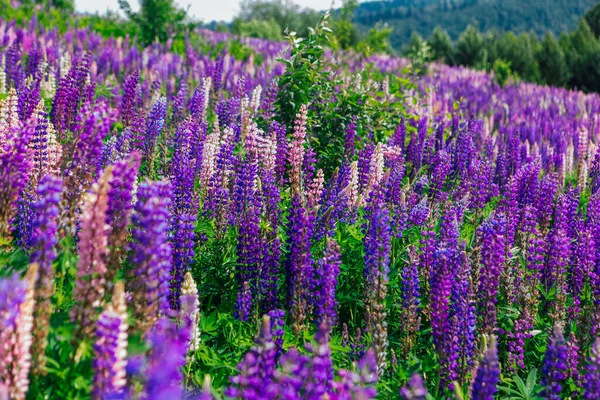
422, 16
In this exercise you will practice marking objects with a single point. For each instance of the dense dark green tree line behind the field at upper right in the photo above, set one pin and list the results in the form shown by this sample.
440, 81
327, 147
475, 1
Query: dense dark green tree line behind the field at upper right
571, 61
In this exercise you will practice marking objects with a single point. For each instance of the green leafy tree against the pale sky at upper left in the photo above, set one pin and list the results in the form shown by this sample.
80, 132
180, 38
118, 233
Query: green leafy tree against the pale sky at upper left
157, 19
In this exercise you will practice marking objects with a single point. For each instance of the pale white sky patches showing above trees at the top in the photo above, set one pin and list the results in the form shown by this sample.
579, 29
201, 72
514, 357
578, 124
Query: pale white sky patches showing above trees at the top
203, 10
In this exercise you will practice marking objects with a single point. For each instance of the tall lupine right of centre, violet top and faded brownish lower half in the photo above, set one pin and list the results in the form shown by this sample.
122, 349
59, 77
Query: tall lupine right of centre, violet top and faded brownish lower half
377, 262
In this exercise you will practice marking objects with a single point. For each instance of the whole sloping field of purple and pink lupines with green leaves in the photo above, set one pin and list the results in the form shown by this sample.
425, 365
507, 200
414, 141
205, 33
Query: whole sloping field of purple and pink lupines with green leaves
244, 219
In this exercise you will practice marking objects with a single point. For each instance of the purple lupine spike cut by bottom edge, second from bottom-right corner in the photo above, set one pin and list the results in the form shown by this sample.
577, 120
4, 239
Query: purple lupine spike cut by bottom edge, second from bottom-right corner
554, 367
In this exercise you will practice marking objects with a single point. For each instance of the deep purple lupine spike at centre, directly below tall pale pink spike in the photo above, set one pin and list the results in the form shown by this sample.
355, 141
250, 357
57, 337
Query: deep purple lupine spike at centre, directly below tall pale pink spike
300, 274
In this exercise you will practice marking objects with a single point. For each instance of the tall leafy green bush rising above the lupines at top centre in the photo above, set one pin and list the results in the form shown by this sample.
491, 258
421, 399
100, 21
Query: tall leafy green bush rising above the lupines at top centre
331, 102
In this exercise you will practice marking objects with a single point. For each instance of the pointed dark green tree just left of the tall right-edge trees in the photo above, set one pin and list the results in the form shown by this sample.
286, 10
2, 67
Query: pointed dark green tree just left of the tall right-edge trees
552, 62
